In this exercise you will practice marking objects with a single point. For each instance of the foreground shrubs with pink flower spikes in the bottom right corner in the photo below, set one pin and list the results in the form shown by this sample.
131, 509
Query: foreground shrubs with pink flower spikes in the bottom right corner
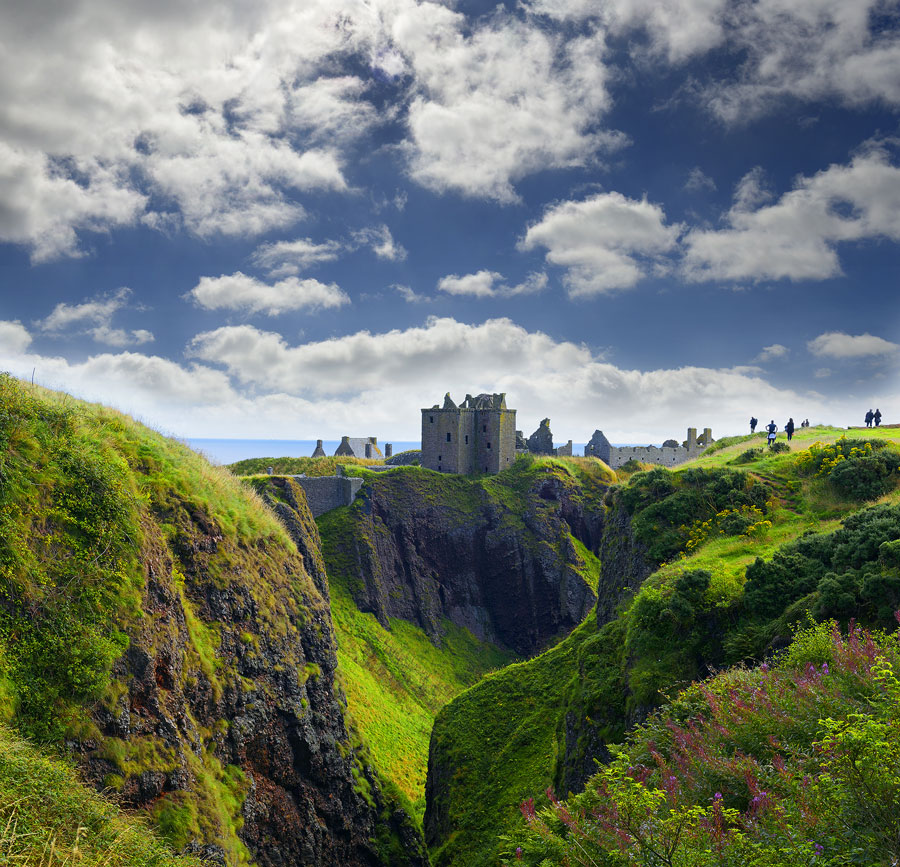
789, 764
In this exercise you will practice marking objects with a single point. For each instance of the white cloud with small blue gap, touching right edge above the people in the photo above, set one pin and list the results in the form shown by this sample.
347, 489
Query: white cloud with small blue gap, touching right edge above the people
795, 238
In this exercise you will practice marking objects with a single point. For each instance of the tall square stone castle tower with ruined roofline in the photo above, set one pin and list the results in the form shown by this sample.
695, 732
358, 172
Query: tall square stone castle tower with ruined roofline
478, 436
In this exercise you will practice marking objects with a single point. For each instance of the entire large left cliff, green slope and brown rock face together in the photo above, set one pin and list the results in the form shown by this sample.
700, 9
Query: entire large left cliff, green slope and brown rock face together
163, 623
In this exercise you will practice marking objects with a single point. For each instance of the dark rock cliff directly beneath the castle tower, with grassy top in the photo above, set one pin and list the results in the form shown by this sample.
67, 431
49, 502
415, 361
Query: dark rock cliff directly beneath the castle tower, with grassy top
498, 556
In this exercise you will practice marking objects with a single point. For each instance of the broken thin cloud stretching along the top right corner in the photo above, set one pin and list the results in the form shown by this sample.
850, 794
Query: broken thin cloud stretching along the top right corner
805, 49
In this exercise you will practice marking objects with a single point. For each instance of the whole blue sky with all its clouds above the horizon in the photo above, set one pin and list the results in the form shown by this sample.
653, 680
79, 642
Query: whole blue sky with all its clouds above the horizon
307, 219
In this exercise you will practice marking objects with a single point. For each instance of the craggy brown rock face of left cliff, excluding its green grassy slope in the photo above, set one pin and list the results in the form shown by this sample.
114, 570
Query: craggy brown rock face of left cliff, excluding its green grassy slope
229, 725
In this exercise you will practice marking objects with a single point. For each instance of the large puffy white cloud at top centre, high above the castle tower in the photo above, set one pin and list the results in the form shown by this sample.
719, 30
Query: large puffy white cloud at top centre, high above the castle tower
497, 102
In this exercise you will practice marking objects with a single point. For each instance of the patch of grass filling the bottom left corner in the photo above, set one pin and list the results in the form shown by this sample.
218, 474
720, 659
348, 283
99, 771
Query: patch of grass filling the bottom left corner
49, 818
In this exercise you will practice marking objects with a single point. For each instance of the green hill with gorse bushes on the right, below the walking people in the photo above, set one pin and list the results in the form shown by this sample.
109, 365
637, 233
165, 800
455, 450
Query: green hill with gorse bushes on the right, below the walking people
736, 567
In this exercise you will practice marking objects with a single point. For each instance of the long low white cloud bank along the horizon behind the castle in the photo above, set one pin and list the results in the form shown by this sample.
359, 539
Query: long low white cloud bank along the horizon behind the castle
251, 383
